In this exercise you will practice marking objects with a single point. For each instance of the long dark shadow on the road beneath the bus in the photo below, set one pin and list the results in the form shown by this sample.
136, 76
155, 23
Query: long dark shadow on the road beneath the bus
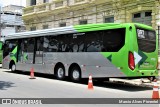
105, 84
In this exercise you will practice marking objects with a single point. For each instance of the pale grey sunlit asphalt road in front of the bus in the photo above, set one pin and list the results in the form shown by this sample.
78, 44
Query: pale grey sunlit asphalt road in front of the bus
18, 85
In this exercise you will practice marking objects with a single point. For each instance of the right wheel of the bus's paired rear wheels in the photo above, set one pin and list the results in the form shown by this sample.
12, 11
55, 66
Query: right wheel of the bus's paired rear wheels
75, 74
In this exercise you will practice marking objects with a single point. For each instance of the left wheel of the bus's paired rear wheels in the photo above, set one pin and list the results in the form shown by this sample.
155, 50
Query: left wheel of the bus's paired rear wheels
60, 72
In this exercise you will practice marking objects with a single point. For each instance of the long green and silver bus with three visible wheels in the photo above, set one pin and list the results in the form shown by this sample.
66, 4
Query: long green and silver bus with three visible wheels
106, 50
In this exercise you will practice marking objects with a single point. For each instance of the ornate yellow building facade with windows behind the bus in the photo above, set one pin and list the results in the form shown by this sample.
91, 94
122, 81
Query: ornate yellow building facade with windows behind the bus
43, 14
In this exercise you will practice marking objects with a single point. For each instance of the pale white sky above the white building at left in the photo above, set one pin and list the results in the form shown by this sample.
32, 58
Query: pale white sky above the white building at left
13, 2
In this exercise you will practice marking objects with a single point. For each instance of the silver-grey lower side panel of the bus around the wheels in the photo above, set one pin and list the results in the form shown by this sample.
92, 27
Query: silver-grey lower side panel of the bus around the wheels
95, 64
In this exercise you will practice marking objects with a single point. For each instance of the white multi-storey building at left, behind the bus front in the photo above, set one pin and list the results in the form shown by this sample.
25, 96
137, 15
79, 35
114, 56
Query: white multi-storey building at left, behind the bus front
11, 20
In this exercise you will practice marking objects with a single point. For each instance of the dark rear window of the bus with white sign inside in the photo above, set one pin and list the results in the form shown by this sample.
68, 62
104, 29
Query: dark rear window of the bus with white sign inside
146, 40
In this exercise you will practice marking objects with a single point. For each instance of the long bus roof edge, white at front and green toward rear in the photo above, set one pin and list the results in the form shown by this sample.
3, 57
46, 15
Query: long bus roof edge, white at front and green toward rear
71, 29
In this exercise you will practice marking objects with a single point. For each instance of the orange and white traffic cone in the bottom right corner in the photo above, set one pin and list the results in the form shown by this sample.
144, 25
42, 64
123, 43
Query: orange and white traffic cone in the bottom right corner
155, 94
